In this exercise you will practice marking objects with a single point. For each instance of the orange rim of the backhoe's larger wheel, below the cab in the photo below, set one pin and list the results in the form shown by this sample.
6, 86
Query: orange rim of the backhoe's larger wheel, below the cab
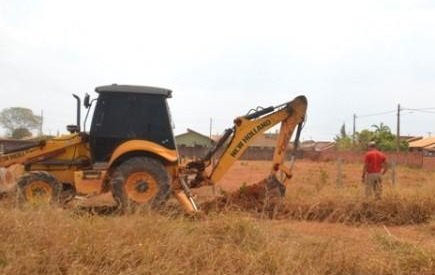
141, 187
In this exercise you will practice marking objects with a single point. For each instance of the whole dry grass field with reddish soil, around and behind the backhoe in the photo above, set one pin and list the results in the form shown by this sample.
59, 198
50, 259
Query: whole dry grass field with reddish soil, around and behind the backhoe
323, 226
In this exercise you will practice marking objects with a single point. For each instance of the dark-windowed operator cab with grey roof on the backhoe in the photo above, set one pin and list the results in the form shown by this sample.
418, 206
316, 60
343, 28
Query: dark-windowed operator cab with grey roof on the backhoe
125, 112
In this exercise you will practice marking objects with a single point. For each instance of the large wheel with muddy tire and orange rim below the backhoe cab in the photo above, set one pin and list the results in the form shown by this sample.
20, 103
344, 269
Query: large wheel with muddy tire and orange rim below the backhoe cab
140, 181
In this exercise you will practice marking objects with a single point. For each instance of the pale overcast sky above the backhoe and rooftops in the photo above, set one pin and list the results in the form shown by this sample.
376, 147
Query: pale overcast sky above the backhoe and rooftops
223, 58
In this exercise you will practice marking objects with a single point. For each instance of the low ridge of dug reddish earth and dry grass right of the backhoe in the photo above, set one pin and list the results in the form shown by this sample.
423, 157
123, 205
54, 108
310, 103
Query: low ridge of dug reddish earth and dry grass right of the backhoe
388, 211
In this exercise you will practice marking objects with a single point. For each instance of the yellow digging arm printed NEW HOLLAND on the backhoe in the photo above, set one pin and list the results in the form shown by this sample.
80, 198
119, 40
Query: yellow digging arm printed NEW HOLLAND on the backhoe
237, 139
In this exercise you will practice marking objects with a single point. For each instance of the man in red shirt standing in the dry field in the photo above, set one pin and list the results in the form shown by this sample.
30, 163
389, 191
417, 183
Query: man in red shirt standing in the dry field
375, 165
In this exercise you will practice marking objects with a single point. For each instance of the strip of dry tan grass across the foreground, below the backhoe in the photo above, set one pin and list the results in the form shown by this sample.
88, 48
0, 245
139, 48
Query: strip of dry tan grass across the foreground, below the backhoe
55, 241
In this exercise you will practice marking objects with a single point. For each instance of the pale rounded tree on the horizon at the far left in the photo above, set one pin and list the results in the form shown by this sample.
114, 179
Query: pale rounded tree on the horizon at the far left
15, 118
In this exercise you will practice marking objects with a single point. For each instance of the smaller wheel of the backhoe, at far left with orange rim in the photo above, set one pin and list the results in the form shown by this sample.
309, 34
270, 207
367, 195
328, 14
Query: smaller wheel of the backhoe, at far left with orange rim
38, 188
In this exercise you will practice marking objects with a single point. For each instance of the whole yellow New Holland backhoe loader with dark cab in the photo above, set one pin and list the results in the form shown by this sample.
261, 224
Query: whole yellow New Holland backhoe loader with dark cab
130, 150
